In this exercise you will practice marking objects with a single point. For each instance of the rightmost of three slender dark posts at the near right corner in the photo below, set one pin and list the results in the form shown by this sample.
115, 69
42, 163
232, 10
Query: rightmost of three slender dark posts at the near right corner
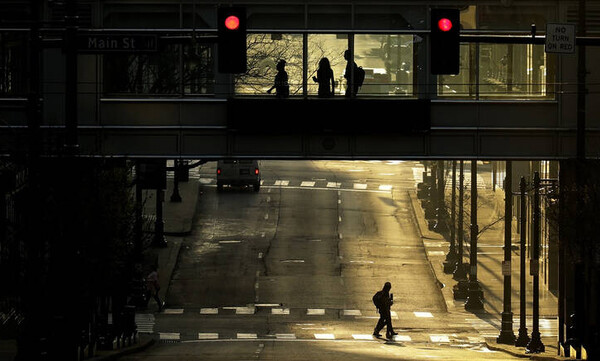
536, 345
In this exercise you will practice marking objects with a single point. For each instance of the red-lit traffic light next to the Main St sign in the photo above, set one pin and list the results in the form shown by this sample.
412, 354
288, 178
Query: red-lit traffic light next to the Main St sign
231, 51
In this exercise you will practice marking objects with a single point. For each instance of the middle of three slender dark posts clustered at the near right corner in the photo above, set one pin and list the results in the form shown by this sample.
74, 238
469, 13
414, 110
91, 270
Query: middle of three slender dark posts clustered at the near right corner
523, 338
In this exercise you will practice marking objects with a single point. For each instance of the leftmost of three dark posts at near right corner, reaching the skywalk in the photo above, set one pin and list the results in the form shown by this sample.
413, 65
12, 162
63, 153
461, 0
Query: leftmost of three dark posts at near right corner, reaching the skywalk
507, 335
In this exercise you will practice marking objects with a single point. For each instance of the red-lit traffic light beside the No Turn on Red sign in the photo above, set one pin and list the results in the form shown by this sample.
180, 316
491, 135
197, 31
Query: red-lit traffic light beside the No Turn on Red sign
445, 41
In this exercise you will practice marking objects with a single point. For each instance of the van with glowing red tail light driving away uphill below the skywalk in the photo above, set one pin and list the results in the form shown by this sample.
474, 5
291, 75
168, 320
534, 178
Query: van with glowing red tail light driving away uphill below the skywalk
238, 172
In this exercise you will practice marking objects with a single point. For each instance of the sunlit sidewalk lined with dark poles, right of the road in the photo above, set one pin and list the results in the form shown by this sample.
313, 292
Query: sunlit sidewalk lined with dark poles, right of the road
490, 257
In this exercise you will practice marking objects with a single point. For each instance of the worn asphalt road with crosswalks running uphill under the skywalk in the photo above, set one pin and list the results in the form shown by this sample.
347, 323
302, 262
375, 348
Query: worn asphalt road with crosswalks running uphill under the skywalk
288, 273
